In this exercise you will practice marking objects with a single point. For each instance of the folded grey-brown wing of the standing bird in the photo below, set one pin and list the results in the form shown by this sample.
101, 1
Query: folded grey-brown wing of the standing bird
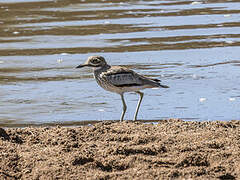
121, 76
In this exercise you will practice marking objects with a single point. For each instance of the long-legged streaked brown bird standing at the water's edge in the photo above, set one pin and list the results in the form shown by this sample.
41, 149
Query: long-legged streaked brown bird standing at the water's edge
119, 79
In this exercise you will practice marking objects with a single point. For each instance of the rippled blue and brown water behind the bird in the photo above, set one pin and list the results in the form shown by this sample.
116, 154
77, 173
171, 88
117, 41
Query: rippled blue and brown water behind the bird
193, 47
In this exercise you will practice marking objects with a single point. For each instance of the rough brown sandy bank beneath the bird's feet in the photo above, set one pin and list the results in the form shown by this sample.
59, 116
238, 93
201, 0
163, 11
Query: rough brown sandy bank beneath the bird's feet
172, 149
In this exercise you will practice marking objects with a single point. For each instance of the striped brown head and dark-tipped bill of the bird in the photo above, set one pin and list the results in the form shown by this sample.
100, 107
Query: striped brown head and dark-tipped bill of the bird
94, 61
